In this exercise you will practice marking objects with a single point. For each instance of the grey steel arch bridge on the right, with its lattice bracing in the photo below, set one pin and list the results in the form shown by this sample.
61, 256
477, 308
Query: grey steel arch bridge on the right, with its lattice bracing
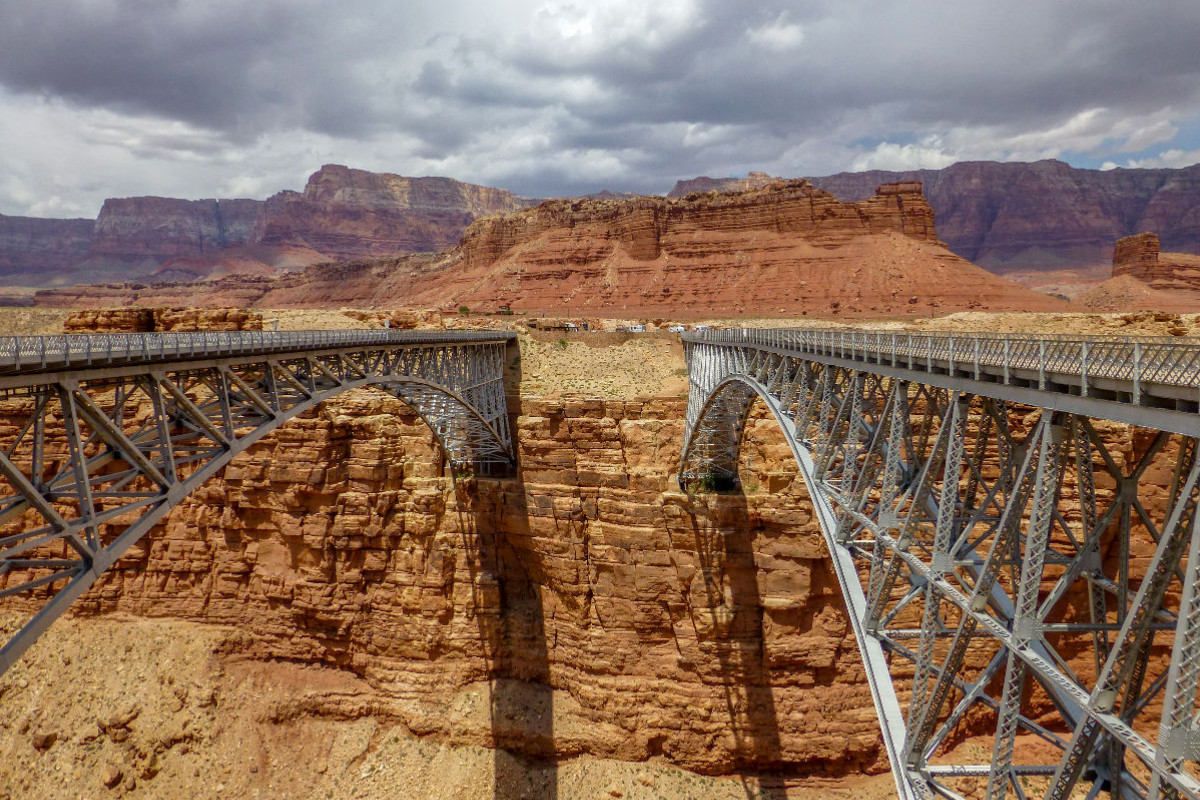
1021, 578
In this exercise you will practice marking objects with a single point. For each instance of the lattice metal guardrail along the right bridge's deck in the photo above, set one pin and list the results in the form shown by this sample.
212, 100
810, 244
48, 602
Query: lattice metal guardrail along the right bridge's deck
1138, 362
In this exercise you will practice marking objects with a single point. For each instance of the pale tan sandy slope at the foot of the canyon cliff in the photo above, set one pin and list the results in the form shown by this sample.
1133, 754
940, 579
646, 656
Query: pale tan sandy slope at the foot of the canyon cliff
167, 711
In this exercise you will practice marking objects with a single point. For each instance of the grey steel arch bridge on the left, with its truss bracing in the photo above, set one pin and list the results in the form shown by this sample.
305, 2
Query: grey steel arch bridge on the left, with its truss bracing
101, 436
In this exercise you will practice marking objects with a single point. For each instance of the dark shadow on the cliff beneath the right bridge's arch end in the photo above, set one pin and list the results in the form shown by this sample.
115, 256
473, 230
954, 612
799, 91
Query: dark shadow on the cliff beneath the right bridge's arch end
729, 624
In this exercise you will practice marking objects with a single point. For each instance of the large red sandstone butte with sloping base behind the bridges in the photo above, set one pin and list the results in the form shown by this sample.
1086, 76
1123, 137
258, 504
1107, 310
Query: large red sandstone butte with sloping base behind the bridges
785, 248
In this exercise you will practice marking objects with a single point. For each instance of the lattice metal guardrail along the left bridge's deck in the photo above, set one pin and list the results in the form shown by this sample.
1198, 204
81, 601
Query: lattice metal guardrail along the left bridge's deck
32, 353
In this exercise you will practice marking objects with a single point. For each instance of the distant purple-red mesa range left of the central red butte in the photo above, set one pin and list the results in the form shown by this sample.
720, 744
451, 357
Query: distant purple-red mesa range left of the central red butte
343, 214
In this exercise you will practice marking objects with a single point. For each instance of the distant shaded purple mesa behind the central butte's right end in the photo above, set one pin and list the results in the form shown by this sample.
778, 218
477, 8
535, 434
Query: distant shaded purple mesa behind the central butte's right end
1046, 215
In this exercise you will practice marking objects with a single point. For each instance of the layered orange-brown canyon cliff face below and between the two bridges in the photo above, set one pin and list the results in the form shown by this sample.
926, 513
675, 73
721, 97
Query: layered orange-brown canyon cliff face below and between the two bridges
599, 610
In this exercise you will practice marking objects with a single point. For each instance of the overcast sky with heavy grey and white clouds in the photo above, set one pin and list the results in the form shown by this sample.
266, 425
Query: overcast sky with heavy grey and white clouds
545, 98
